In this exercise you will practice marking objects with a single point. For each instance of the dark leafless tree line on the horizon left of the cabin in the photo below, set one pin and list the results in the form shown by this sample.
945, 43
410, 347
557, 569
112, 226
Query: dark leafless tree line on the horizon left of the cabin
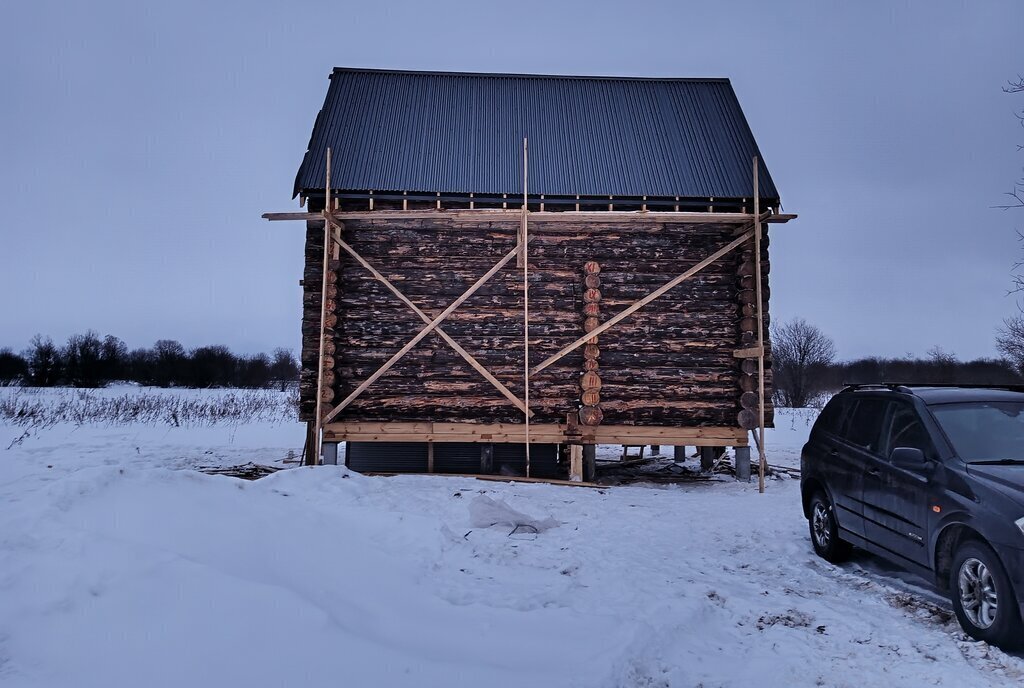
91, 361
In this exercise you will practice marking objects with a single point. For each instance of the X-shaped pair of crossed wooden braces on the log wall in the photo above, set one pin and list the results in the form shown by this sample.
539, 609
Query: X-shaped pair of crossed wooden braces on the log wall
432, 326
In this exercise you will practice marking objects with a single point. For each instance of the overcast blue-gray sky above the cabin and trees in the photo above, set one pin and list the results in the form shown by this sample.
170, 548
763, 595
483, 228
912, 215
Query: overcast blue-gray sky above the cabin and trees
140, 143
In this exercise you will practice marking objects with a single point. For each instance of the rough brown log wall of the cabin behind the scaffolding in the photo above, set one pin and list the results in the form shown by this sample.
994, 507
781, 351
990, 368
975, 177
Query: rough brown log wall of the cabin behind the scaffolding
671, 364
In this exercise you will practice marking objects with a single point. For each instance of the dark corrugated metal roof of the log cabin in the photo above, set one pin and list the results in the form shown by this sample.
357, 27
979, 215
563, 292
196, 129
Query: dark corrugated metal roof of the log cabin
462, 134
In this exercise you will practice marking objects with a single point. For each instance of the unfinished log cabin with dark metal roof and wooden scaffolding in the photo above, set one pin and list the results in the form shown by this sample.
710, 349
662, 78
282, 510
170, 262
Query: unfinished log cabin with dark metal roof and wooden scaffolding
504, 271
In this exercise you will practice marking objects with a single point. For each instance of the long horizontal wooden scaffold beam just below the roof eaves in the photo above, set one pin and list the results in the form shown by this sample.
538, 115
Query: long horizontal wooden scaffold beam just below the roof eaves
494, 214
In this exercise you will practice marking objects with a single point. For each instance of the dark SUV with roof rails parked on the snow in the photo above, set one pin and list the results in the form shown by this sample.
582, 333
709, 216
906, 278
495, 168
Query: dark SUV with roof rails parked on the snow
933, 480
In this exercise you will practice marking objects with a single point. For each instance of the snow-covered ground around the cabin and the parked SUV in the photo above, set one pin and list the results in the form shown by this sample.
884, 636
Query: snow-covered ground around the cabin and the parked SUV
119, 567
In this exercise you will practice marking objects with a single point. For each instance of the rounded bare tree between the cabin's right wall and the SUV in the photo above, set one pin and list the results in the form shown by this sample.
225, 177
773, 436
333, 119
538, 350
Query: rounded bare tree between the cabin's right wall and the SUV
801, 356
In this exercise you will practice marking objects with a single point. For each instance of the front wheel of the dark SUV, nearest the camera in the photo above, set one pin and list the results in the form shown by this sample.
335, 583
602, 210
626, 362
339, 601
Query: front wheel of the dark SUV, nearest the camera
984, 598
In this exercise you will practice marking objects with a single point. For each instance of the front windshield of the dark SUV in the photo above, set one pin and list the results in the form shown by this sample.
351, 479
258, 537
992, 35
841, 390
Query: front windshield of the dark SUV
984, 431
